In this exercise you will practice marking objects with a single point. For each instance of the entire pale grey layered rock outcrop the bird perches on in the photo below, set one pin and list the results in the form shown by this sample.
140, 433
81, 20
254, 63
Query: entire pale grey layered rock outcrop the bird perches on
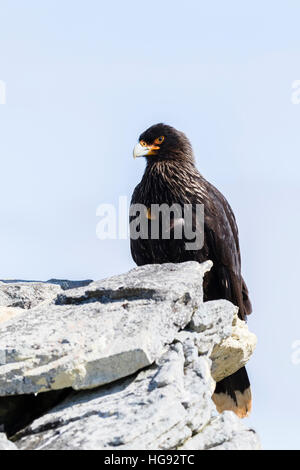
129, 362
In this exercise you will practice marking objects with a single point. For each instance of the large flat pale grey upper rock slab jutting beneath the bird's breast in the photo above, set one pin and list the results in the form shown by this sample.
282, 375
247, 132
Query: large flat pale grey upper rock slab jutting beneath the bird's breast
94, 335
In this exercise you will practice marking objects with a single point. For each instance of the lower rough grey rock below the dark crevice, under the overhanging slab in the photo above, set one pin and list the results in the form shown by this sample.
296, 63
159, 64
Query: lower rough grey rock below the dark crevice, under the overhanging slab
167, 406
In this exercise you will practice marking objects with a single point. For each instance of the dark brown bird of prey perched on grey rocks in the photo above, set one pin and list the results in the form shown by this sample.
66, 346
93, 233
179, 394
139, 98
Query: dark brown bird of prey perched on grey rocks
171, 177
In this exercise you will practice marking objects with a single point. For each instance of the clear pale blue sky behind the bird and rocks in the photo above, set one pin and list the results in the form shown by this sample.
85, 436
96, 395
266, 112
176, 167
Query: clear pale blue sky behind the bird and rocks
84, 78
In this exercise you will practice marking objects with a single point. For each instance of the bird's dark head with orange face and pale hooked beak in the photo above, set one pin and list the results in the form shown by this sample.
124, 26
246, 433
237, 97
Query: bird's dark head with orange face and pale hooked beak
163, 142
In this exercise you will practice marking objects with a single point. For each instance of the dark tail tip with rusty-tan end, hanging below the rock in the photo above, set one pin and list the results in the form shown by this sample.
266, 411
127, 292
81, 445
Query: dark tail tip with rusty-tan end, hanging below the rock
234, 393
